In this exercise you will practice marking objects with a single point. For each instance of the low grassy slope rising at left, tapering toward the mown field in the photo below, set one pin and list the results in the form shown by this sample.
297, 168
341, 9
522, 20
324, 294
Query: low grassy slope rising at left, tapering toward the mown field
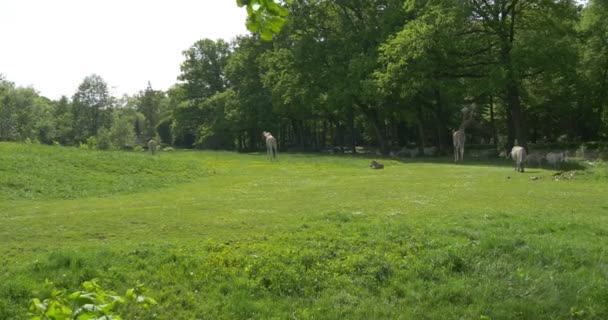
41, 172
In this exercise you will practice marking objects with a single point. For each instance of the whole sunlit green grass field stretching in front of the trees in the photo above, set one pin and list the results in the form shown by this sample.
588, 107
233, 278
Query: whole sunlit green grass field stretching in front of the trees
221, 235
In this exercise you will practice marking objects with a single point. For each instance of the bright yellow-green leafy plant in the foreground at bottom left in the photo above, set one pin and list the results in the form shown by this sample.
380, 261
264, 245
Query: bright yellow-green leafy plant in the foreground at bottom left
91, 303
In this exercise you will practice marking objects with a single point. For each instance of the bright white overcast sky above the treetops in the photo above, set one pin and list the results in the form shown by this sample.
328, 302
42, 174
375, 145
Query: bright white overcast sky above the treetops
52, 45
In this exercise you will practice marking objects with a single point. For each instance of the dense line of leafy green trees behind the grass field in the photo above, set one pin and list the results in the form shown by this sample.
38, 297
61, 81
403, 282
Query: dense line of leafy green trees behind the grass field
342, 73
